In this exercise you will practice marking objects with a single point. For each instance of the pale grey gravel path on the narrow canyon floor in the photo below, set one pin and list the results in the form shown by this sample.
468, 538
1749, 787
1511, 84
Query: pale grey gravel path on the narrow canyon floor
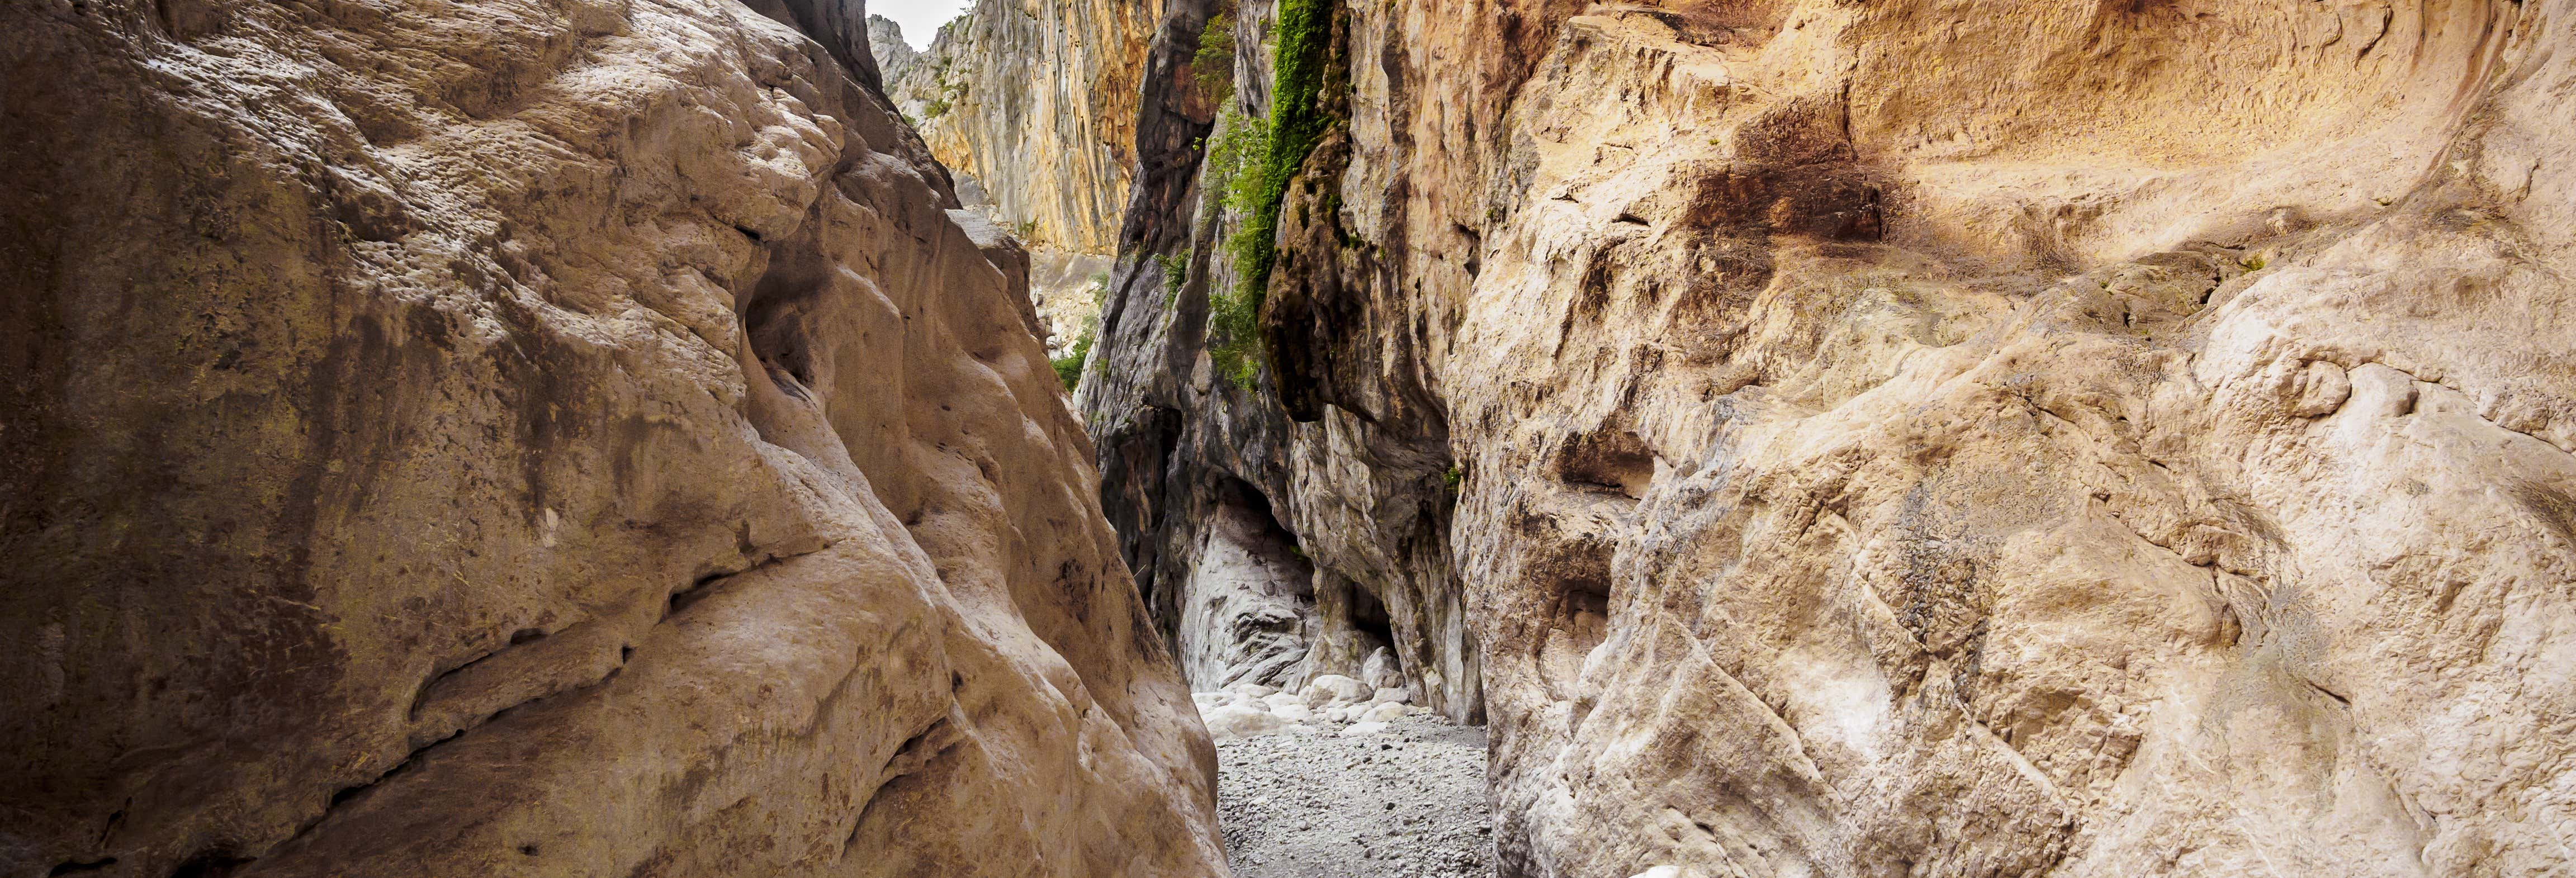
1392, 805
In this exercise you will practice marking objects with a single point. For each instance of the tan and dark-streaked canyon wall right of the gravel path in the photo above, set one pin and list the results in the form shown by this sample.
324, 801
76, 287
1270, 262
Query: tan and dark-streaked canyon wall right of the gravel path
1913, 439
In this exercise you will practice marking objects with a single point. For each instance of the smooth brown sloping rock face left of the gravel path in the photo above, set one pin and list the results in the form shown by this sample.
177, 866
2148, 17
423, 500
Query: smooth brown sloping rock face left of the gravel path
465, 439
